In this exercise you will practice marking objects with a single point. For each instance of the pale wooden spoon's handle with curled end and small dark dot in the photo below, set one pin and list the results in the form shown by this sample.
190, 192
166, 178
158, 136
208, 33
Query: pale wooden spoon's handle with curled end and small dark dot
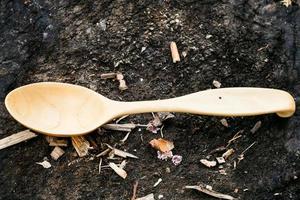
240, 101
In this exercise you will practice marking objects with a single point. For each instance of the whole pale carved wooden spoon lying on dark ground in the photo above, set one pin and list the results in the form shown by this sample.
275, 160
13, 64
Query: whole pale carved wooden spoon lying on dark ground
62, 109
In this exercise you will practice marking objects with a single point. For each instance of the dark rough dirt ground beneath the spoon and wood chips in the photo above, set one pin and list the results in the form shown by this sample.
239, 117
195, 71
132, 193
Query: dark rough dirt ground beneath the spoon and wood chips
237, 42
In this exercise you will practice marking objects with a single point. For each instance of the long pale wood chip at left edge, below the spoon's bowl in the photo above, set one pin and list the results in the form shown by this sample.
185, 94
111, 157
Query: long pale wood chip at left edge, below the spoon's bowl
16, 138
